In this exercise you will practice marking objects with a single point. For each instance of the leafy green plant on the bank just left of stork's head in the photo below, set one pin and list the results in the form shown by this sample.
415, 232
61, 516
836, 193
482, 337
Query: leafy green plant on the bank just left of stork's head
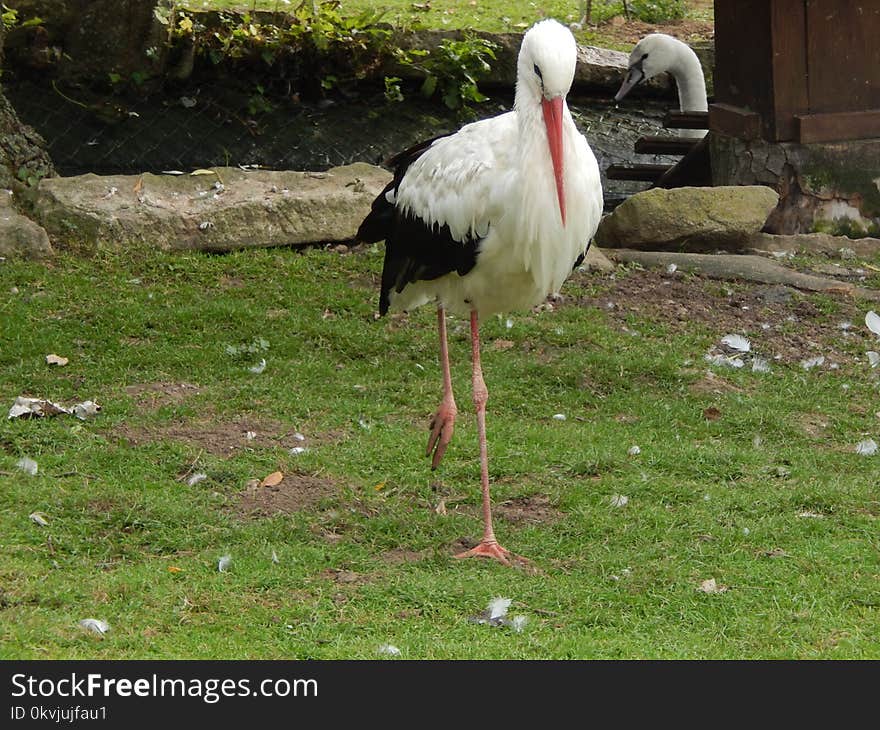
452, 69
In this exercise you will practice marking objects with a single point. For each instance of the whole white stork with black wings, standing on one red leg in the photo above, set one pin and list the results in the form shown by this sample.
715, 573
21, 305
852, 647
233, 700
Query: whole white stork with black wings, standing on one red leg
490, 219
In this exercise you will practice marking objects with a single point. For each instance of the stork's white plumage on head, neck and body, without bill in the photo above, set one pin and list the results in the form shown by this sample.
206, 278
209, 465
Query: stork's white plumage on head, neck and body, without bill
494, 180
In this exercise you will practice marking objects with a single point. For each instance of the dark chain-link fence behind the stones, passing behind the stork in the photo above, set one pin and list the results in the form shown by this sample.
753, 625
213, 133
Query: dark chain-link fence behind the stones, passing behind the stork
213, 125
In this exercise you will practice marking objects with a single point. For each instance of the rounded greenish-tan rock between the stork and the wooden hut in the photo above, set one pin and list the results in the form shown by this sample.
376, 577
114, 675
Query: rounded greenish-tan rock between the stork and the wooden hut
690, 218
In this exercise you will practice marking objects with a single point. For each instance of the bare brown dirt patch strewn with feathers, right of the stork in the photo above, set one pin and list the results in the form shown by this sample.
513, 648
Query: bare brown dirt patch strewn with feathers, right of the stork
783, 324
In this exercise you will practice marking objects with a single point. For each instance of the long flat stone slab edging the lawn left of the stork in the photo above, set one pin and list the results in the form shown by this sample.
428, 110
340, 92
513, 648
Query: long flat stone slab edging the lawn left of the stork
218, 210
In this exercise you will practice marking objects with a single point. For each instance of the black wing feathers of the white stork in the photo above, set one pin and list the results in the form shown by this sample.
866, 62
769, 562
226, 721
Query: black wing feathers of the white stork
414, 250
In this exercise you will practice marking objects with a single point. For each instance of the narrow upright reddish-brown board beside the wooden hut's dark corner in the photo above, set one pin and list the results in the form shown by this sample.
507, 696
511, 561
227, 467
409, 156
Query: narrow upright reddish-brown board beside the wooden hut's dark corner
788, 67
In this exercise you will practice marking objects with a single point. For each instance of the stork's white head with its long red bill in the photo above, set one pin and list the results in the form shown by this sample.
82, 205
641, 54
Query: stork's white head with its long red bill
545, 70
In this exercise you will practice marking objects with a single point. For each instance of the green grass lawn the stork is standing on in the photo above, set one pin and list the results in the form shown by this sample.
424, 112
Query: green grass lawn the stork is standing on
765, 494
